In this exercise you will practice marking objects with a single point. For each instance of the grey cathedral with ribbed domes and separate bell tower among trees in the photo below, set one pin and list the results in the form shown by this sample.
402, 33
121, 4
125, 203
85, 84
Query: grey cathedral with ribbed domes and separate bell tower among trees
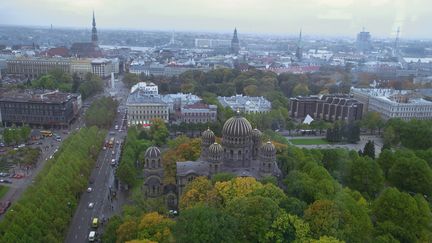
242, 153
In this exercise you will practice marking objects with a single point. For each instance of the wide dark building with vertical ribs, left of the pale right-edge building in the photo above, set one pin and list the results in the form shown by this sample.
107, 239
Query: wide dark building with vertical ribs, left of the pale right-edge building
327, 107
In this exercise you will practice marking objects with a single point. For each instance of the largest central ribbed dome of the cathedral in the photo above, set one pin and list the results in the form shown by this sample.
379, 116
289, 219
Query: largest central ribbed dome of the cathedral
237, 127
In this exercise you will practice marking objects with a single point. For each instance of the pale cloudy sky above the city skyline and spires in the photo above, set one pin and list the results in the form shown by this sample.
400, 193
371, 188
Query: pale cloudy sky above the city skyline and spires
315, 17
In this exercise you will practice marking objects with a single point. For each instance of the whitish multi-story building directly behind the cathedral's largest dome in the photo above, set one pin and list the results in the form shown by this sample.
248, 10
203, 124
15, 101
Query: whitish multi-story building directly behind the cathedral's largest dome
246, 104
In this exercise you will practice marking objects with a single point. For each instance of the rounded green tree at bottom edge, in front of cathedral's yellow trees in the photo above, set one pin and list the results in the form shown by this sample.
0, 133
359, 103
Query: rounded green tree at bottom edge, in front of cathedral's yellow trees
205, 224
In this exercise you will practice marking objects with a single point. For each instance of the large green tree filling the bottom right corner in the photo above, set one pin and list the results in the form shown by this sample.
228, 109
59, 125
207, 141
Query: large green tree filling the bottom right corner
404, 218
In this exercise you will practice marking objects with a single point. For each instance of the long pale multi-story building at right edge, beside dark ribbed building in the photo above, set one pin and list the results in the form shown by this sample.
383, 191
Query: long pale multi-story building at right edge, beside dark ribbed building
390, 103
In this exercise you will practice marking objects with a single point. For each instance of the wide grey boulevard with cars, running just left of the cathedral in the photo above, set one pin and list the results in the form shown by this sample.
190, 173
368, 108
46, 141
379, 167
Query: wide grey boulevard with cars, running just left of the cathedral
102, 182
